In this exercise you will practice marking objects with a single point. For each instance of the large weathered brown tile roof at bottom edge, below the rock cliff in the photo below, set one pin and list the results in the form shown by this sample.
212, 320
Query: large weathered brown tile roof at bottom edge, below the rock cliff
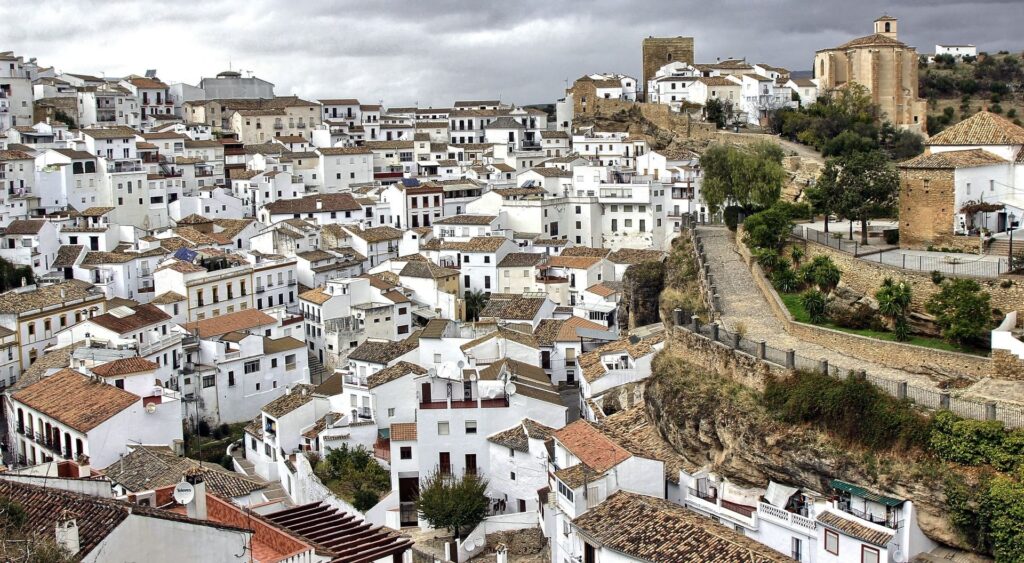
658, 531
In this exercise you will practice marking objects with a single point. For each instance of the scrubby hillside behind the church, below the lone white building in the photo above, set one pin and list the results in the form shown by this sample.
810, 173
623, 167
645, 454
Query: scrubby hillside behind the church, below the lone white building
956, 91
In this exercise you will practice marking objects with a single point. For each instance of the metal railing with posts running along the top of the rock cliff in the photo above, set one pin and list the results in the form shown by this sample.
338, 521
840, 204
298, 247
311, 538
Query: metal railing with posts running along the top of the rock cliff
1011, 415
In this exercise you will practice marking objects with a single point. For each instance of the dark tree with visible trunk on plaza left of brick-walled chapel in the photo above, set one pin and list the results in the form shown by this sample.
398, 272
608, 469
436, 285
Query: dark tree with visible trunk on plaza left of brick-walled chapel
869, 186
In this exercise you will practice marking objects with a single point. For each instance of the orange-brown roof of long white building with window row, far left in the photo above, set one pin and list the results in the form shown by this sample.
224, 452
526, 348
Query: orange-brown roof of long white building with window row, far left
75, 400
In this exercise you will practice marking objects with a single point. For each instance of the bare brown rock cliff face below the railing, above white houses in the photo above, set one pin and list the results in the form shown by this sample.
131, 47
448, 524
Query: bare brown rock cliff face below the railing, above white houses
714, 422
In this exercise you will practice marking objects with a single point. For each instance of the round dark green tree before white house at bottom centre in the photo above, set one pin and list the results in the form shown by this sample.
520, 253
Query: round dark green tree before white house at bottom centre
456, 504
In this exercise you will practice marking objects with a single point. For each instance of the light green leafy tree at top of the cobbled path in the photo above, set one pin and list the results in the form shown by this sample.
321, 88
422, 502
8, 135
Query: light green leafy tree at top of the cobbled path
749, 177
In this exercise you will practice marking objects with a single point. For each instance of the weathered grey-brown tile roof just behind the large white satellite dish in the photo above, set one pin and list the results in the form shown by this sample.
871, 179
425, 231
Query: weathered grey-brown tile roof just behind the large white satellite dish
150, 468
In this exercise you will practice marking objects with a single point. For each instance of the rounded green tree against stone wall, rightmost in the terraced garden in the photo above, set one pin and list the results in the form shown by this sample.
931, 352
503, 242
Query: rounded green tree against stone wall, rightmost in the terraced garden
962, 310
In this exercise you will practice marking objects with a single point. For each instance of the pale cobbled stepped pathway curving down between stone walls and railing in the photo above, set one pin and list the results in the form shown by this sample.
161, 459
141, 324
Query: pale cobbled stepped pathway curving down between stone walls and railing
743, 305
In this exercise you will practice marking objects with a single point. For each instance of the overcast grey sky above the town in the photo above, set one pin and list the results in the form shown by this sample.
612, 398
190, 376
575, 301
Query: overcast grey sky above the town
436, 52
